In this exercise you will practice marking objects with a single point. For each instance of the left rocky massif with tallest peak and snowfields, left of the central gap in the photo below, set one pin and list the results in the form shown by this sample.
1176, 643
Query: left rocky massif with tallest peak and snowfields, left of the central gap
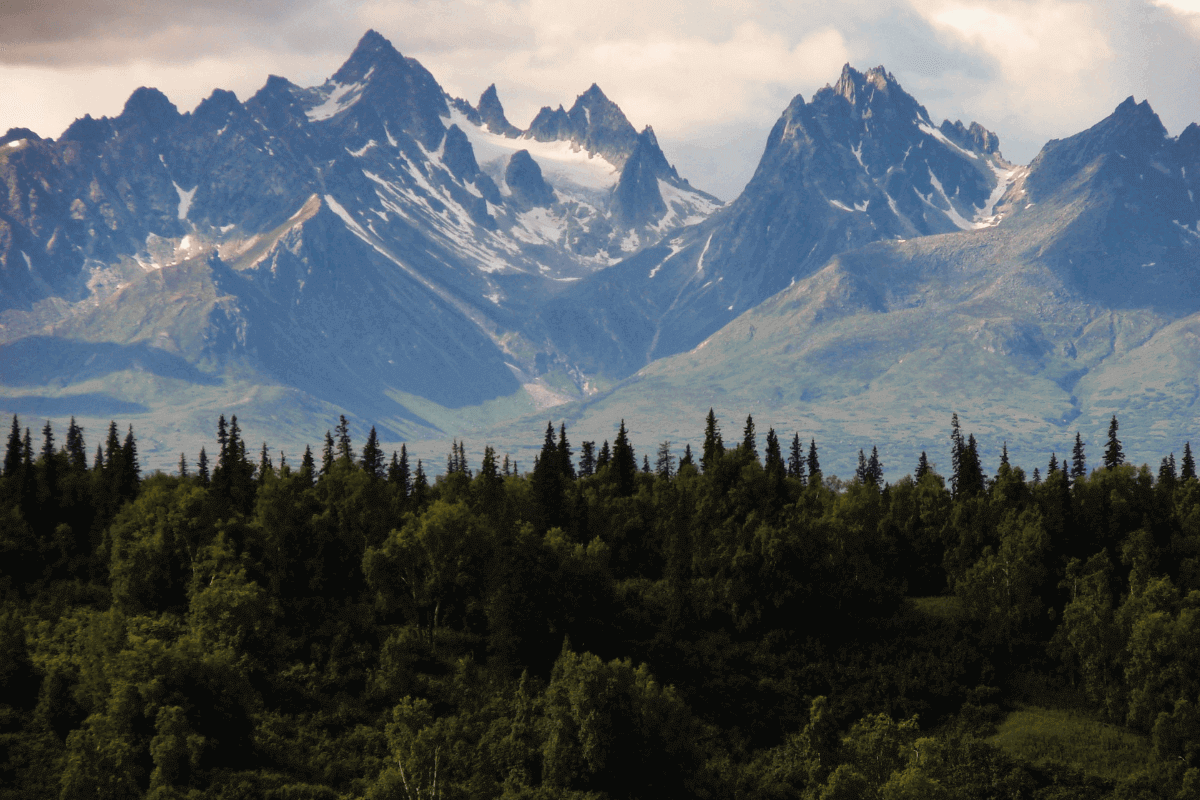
367, 237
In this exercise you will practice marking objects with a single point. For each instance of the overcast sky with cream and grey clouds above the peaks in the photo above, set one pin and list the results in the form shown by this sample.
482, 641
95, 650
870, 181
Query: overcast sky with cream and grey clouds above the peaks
710, 76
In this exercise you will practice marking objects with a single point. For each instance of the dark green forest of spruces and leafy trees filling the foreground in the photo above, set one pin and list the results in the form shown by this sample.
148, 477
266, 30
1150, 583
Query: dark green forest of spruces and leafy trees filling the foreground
731, 623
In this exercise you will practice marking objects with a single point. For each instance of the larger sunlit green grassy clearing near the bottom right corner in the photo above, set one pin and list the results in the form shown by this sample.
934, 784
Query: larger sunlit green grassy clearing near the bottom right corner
1043, 736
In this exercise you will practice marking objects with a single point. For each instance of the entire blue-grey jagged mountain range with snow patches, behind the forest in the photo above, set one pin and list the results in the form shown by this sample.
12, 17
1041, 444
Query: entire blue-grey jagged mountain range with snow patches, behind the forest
376, 248
